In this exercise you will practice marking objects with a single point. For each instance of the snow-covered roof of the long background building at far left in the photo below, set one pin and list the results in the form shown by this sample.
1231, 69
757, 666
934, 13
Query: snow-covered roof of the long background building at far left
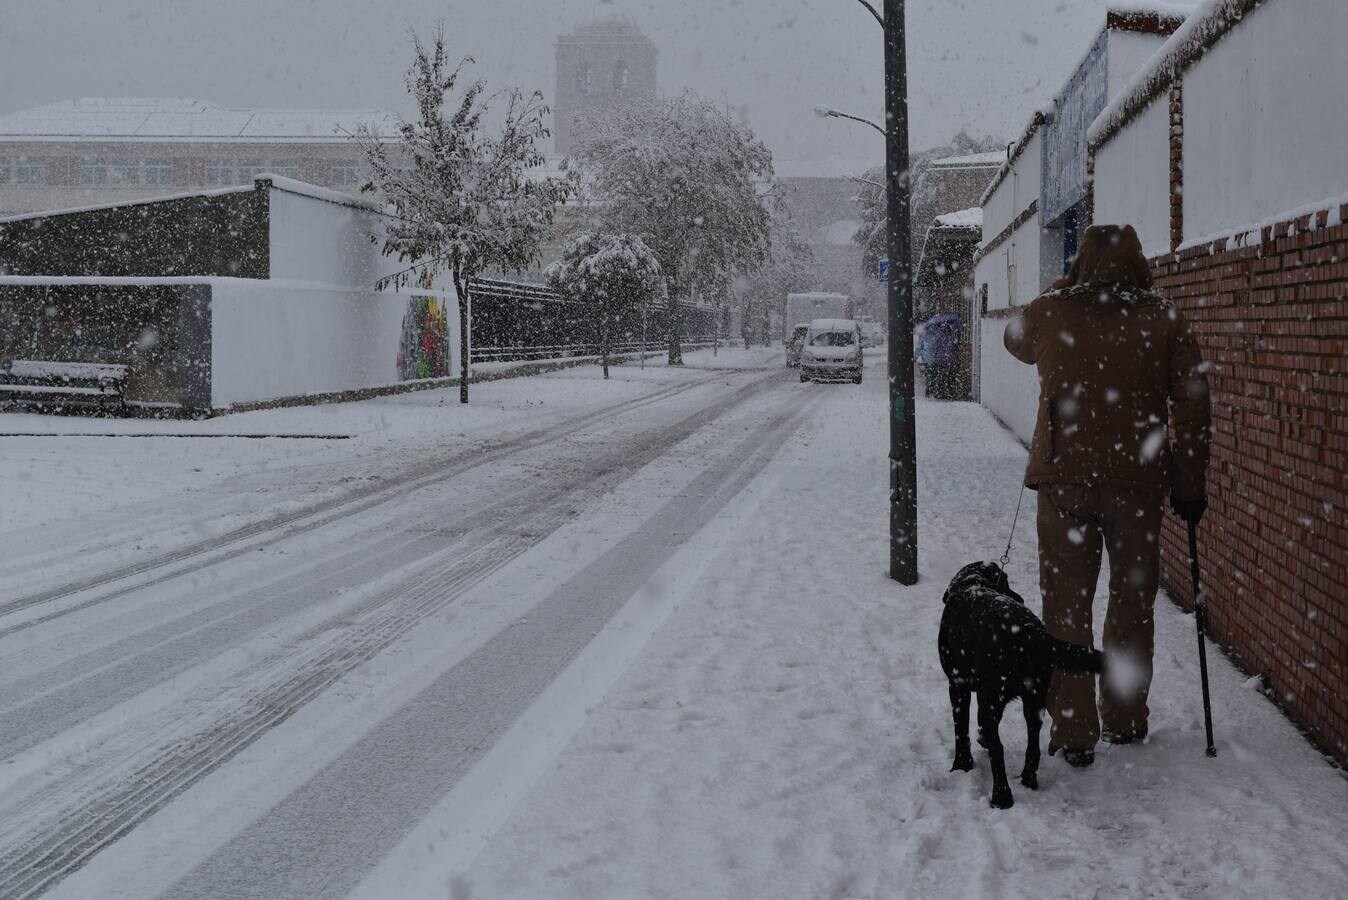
183, 119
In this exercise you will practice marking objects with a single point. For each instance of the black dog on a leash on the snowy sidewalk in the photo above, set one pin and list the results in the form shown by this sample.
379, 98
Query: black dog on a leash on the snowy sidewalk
997, 649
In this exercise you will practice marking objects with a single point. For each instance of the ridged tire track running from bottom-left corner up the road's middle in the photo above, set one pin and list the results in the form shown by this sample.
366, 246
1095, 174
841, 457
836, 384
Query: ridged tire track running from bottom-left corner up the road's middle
84, 825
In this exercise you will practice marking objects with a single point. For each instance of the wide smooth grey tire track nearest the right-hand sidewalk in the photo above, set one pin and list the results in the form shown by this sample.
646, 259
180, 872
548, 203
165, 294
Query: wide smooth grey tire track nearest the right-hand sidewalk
394, 777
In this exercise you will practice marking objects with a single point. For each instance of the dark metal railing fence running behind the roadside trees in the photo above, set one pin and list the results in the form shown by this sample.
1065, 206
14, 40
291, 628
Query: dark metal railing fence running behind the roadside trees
518, 321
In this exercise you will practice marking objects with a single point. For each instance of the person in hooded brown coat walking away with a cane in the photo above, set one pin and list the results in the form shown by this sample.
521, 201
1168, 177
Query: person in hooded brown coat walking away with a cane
1117, 363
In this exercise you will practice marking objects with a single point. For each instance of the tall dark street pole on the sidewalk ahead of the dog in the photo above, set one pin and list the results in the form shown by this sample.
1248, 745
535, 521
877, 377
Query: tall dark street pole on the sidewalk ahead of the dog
904, 475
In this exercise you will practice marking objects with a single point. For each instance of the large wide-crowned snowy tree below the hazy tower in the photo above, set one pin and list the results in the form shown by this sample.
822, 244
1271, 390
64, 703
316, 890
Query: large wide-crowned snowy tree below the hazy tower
695, 184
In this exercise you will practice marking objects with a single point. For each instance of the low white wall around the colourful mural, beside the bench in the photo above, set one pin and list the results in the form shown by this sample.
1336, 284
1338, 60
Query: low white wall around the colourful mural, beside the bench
272, 340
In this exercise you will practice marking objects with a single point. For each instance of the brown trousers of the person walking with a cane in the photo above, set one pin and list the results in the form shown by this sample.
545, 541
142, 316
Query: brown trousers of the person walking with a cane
1075, 522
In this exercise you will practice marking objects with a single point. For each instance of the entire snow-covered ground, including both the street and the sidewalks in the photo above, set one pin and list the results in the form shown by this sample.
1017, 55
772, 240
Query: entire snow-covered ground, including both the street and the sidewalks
583, 639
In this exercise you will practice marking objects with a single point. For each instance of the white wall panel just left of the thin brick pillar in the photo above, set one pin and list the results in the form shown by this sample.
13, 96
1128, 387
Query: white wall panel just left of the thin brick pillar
1133, 179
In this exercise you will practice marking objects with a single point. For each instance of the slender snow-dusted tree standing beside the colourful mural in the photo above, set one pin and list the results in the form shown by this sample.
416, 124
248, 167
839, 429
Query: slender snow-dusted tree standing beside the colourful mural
464, 201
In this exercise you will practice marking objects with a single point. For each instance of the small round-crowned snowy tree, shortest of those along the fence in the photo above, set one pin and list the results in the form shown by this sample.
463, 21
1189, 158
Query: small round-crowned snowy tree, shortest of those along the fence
610, 274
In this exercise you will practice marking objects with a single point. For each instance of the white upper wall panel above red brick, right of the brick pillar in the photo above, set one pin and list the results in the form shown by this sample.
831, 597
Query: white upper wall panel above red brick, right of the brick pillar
1265, 125
